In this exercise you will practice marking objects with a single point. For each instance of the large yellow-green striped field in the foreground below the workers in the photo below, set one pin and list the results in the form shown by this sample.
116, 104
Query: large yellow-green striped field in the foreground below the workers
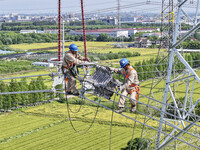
48, 127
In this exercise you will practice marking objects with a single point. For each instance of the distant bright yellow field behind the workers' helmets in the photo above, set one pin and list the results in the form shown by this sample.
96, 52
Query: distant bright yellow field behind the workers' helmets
96, 47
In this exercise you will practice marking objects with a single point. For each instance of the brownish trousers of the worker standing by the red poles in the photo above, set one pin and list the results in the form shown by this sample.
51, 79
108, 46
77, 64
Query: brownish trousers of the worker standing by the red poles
71, 84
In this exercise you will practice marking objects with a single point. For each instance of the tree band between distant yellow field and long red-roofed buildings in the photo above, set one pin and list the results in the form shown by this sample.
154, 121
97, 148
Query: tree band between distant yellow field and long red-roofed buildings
8, 38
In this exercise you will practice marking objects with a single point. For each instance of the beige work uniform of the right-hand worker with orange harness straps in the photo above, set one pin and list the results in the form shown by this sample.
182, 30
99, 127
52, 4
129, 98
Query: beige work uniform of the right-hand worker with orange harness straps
130, 86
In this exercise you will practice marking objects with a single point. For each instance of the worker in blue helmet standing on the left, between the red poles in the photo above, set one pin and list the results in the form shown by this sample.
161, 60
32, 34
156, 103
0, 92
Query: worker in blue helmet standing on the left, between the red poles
71, 59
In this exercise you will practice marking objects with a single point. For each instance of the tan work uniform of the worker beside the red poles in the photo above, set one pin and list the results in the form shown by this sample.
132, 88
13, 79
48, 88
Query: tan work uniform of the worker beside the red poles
69, 61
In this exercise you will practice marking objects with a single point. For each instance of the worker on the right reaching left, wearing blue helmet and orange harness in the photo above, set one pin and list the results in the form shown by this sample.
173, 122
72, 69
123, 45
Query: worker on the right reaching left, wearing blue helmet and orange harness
130, 85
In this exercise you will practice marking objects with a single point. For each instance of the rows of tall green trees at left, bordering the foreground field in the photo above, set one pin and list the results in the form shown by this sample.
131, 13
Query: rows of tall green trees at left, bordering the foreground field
15, 100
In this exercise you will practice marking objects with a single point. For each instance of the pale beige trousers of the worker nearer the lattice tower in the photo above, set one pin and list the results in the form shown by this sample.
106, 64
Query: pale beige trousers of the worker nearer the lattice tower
123, 99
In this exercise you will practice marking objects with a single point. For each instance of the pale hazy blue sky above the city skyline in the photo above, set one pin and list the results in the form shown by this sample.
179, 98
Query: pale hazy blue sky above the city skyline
90, 6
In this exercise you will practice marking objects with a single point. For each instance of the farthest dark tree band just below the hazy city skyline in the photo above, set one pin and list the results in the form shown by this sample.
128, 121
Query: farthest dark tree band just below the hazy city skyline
77, 25
